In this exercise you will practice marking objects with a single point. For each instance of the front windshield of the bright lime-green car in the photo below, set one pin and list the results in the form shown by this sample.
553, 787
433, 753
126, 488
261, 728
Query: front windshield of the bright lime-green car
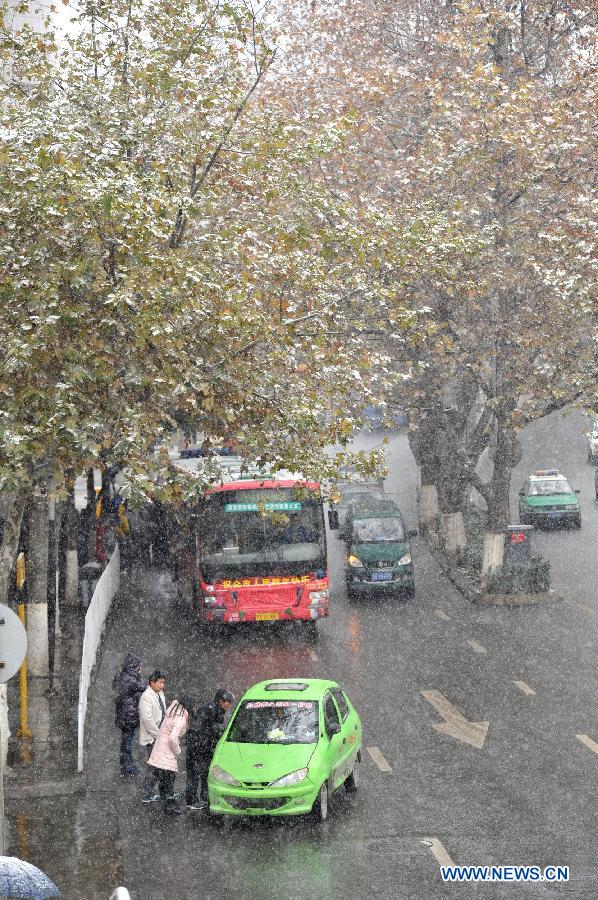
275, 722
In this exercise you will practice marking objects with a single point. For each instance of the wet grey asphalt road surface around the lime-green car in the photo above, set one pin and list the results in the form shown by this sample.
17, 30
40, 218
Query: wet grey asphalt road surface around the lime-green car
527, 796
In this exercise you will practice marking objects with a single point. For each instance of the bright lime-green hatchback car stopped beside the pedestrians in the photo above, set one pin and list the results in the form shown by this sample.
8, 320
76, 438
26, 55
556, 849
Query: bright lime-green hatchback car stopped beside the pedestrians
289, 744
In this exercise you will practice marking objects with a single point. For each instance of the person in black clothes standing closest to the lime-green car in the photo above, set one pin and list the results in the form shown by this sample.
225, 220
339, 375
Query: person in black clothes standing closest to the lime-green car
205, 730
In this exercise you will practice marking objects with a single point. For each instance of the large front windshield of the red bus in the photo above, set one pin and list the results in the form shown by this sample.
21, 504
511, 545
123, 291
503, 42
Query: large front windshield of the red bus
259, 532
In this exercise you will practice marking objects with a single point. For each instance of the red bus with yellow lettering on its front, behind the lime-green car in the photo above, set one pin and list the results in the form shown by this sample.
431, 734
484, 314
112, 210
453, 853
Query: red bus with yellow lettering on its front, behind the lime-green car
255, 550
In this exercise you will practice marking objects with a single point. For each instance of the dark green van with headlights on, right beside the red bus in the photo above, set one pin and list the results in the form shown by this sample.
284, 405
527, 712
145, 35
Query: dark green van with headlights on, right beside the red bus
378, 548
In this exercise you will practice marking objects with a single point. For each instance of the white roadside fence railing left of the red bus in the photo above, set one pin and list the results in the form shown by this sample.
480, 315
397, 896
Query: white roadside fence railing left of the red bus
95, 619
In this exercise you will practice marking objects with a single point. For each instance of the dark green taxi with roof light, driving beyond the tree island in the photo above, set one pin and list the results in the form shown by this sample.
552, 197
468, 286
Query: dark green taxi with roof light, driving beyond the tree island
547, 498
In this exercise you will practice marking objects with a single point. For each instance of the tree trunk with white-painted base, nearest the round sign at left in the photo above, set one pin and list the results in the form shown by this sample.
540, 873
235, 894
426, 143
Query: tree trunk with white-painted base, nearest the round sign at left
37, 585
